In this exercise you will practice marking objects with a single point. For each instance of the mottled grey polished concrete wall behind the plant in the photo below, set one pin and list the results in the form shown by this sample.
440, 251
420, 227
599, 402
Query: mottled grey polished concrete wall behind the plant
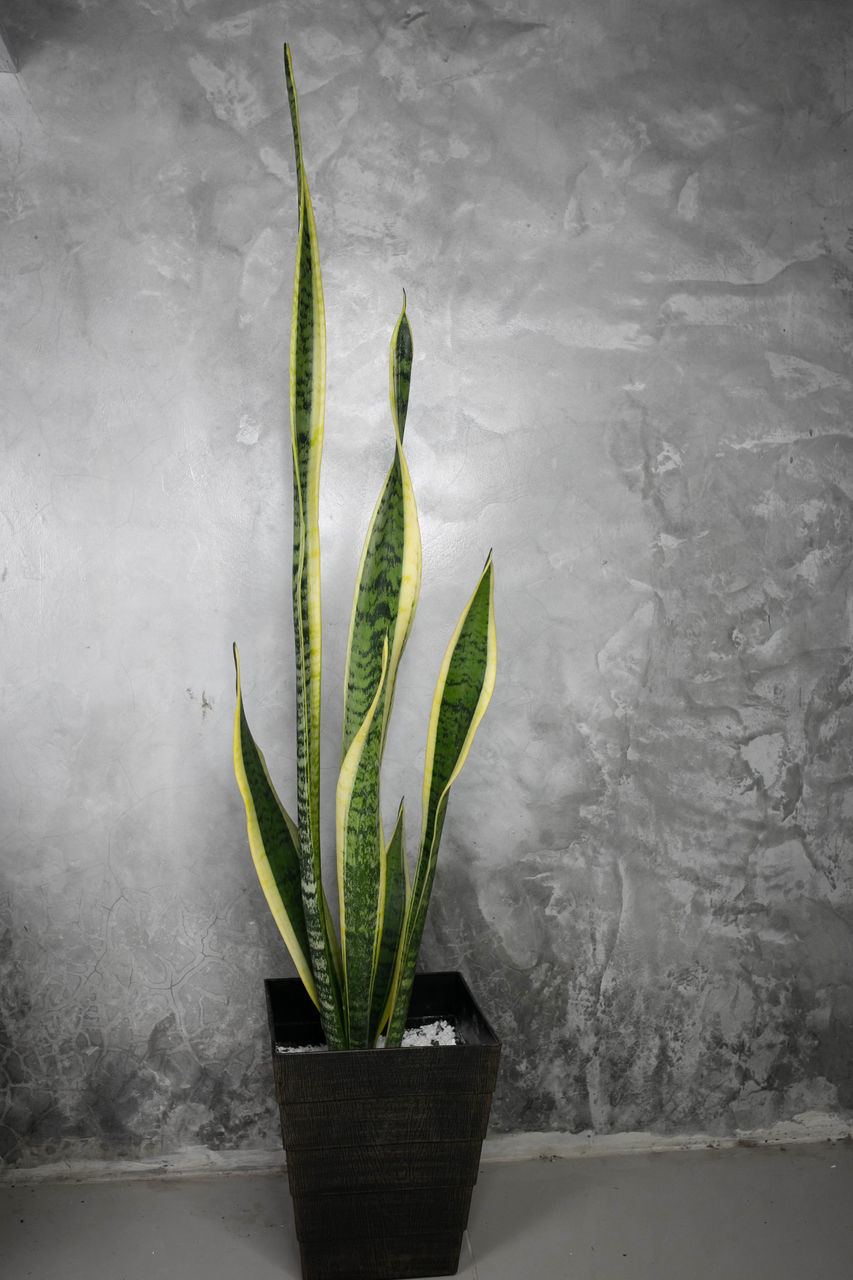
626, 228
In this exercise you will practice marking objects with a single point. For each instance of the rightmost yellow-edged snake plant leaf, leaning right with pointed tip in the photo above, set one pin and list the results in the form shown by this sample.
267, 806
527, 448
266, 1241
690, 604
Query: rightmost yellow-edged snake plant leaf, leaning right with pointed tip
463, 693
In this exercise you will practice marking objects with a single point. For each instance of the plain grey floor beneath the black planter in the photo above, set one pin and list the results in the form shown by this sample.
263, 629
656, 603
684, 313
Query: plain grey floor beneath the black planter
738, 1214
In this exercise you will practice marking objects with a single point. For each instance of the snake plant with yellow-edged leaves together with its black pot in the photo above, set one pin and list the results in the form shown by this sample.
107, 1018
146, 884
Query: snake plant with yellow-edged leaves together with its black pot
382, 1144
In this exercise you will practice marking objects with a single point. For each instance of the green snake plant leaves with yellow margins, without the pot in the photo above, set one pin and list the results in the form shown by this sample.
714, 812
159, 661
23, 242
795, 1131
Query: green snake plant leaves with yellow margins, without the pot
361, 981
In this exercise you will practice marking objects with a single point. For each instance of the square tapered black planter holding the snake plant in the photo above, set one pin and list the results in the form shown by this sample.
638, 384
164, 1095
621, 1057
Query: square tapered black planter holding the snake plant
384, 1146
